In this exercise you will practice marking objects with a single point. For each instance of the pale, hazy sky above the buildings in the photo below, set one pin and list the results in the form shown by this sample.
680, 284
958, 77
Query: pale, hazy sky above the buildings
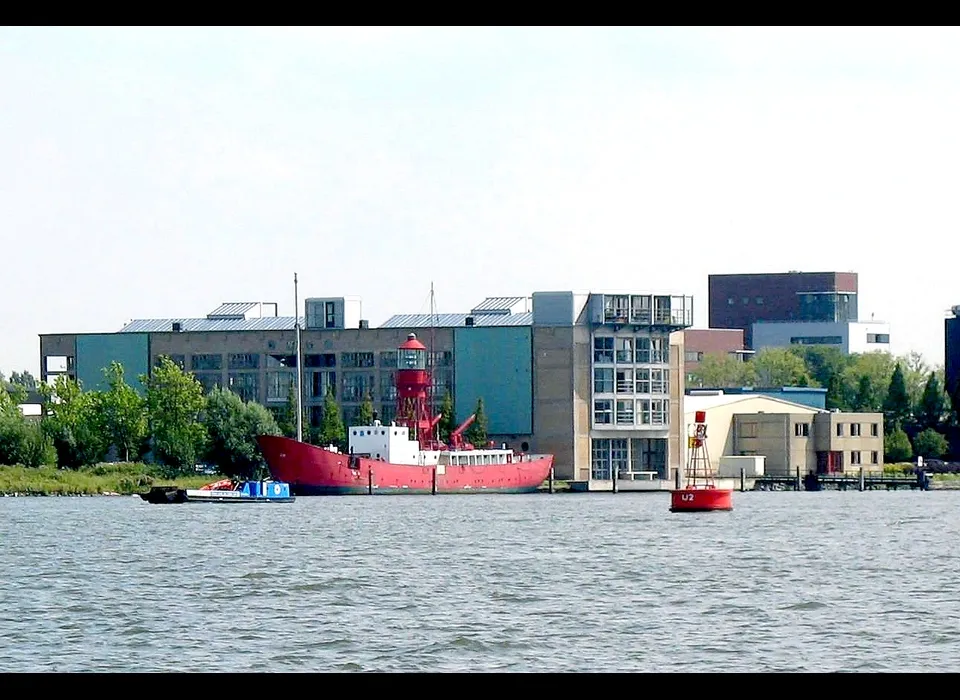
158, 172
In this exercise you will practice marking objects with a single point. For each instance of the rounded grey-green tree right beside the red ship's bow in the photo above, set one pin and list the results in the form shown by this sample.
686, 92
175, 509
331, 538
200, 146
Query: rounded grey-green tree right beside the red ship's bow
232, 427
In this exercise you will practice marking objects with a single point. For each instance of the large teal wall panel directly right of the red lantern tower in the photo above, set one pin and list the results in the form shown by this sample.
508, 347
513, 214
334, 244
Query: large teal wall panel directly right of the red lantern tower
495, 363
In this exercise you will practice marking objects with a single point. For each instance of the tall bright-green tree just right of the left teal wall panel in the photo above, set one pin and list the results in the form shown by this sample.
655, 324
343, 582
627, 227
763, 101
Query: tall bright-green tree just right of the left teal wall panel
174, 401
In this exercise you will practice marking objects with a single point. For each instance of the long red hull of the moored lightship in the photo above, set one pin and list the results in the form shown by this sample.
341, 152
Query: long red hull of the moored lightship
314, 471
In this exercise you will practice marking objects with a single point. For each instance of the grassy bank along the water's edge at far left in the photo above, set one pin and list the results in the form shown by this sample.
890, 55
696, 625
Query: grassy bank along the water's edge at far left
121, 478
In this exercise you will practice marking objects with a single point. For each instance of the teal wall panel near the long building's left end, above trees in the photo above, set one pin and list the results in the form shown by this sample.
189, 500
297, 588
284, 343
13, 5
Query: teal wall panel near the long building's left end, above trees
96, 351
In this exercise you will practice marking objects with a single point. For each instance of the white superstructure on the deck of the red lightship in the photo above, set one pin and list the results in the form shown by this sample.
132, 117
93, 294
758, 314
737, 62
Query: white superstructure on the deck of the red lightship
392, 443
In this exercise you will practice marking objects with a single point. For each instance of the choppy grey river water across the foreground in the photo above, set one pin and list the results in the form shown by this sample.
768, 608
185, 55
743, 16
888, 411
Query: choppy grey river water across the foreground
788, 581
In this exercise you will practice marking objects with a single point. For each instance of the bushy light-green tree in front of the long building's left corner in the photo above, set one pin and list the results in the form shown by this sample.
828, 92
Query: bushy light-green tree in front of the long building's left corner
73, 422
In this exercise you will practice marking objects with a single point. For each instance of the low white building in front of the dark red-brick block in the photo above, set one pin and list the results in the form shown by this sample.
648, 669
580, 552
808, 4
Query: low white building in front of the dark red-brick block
849, 336
